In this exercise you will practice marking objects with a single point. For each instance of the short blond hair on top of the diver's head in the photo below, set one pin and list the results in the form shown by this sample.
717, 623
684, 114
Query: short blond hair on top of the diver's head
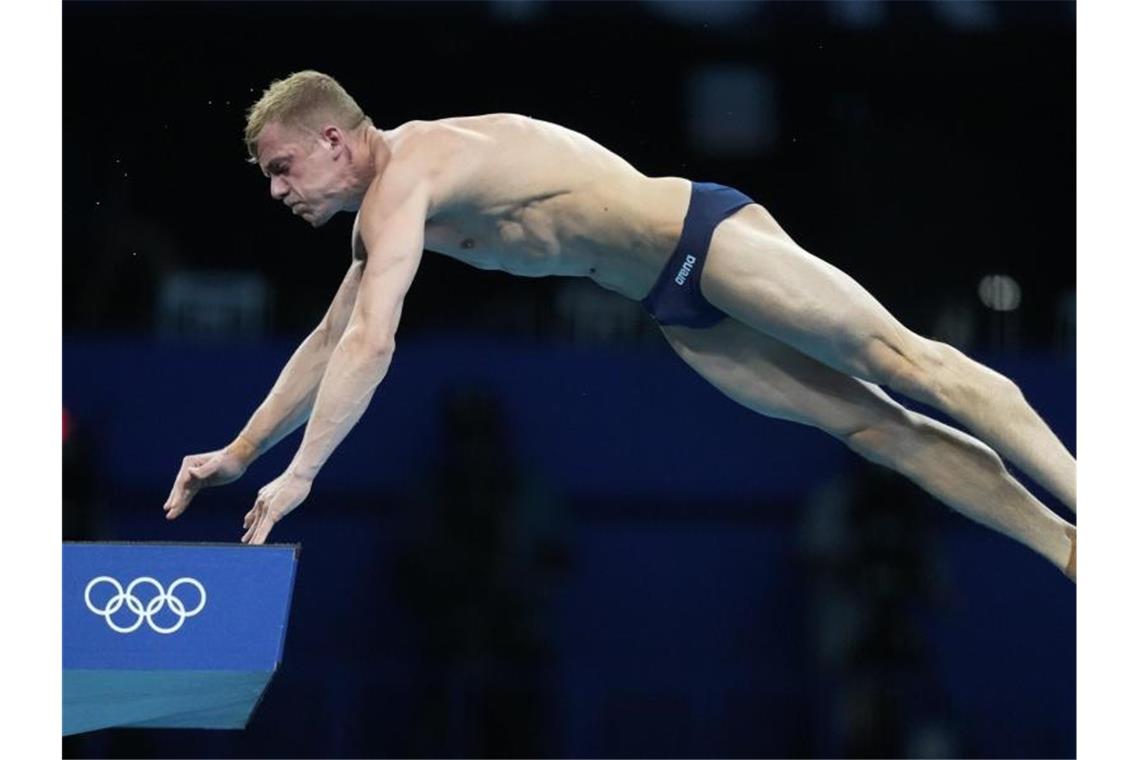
307, 100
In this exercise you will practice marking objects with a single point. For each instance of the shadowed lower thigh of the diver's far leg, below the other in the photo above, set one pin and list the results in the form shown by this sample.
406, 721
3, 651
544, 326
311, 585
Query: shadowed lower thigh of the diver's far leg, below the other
777, 380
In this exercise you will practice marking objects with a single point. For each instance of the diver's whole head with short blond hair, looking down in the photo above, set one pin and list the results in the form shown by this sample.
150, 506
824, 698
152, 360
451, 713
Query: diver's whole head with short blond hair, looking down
311, 138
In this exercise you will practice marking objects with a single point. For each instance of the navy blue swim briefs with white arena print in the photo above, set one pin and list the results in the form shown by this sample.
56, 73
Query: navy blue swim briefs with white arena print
677, 297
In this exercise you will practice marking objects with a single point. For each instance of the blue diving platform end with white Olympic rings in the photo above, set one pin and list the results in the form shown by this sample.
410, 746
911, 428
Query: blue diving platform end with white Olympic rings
164, 667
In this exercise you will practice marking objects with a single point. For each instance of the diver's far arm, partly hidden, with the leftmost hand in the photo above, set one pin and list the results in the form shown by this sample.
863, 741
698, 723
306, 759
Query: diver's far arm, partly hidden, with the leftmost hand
287, 407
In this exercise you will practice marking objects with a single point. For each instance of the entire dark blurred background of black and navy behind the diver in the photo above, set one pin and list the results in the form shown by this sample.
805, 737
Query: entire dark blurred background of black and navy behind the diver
548, 536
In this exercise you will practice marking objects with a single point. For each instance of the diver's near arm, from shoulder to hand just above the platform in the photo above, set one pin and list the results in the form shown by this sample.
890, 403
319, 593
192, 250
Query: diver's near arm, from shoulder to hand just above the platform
393, 219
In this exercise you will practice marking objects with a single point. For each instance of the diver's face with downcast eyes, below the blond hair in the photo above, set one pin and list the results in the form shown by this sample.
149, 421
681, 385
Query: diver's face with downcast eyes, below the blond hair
306, 173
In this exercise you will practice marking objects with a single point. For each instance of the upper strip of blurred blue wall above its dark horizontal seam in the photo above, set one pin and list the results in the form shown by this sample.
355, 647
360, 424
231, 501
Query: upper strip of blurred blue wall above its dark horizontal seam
598, 423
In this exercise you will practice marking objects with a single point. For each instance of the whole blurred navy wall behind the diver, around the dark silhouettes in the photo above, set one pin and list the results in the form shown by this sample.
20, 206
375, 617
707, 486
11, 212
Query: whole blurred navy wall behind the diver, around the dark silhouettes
680, 620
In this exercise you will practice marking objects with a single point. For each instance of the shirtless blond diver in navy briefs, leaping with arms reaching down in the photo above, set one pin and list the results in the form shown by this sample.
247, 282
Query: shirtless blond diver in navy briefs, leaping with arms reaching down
770, 325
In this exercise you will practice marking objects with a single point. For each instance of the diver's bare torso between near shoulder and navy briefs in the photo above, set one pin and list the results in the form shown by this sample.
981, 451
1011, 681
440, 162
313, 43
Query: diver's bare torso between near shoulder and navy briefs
543, 201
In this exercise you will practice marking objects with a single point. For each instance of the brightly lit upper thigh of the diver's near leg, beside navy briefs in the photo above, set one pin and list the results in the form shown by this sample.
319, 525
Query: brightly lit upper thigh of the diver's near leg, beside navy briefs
758, 275
